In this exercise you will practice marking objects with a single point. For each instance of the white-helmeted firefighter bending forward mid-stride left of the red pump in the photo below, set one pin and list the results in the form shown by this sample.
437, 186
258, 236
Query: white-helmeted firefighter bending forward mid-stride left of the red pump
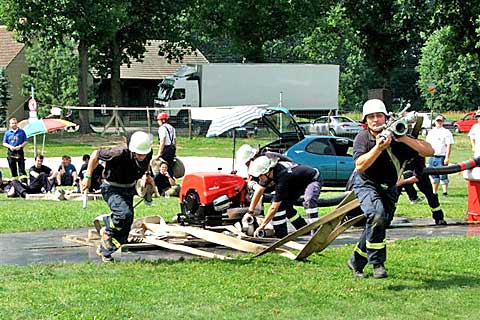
123, 167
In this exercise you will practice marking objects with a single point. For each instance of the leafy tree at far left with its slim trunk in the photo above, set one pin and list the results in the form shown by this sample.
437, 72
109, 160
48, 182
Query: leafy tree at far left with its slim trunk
86, 21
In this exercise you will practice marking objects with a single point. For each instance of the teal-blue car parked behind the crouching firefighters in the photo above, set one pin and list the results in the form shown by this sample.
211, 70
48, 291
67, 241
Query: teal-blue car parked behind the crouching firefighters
326, 153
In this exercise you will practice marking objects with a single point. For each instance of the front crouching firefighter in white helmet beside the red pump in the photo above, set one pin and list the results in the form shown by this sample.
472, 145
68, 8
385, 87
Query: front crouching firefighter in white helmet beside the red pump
290, 181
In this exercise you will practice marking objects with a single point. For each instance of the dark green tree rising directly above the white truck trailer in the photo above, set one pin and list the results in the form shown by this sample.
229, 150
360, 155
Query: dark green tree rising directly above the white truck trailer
247, 25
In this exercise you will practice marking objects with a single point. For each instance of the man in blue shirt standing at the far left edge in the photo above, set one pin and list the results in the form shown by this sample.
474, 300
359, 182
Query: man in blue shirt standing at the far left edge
14, 140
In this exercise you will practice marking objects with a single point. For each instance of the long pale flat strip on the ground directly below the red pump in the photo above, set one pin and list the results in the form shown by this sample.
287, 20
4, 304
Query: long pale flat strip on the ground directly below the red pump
220, 239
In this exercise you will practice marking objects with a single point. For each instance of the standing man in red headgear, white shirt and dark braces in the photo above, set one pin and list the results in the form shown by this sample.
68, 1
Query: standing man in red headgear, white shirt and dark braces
167, 140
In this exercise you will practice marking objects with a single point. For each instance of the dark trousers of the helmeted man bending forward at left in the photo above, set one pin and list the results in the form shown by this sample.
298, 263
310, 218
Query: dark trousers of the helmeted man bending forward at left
119, 222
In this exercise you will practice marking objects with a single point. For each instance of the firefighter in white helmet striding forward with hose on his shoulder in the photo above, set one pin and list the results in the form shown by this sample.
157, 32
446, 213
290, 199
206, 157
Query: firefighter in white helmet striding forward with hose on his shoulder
378, 162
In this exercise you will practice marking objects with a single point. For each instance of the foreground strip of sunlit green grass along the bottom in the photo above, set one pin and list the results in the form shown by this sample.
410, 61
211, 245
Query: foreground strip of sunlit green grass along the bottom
429, 279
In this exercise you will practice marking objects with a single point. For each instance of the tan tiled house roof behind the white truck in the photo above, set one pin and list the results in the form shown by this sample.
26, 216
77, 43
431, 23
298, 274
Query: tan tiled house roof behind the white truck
155, 66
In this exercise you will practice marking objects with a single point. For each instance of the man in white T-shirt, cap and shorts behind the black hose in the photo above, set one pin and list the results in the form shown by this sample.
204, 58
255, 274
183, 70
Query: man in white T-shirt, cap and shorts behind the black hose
441, 140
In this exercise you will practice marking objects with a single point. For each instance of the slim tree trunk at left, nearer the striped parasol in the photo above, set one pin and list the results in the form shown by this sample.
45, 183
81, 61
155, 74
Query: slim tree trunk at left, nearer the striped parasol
83, 86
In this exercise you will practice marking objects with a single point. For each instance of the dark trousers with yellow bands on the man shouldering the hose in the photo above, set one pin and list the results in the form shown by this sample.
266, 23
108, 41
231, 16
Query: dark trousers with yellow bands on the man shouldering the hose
378, 205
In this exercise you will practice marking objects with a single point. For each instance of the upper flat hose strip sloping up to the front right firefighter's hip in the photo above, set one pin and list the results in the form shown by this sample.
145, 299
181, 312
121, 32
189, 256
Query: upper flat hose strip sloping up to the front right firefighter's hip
347, 205
